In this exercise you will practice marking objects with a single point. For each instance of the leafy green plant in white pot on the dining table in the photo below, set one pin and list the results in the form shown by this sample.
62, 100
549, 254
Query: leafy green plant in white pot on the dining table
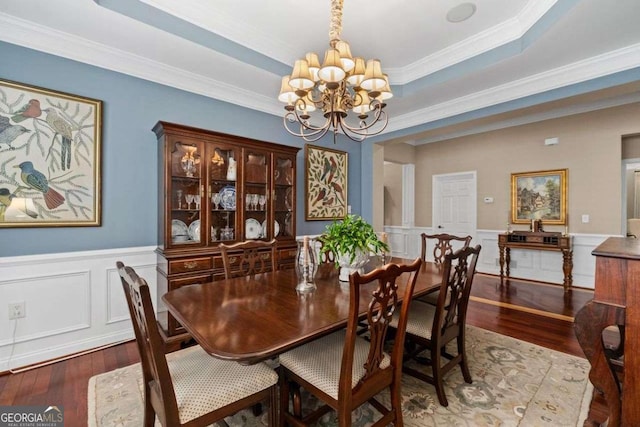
351, 240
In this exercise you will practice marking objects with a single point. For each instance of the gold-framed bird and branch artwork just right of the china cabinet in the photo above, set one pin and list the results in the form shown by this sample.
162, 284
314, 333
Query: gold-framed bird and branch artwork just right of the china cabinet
325, 183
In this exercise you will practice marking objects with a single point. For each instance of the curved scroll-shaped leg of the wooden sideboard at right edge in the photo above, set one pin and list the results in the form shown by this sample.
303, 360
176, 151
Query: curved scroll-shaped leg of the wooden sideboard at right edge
589, 323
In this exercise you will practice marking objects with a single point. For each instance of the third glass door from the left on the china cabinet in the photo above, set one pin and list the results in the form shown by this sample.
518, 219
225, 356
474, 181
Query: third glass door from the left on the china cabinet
256, 195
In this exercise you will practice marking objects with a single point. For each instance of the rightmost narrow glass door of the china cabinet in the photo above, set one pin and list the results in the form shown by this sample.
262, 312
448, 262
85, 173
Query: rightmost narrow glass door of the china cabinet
284, 195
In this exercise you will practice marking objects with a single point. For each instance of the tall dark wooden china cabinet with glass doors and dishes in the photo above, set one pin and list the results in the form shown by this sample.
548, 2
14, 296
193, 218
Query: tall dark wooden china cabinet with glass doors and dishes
216, 188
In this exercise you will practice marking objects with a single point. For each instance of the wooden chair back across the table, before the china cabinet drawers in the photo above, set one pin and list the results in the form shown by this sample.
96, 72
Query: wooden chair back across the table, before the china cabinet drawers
248, 258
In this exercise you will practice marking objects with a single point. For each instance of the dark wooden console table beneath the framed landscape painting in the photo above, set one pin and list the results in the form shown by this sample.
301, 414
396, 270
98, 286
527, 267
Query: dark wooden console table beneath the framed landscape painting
540, 240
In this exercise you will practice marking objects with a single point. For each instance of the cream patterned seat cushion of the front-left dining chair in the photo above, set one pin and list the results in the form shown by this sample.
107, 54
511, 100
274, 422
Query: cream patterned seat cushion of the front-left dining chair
203, 383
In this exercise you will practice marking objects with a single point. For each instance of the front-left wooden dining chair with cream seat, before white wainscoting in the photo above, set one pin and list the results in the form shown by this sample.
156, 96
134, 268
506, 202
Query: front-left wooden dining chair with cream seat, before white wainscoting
191, 387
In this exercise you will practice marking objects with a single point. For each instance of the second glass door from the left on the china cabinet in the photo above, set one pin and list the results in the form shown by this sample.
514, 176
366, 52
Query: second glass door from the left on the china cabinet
223, 175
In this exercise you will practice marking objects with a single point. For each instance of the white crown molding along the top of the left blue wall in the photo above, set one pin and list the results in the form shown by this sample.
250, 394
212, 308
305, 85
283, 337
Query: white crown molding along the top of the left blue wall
27, 34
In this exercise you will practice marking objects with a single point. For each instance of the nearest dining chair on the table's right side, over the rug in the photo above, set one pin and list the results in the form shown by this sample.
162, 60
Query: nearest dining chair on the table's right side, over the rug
345, 370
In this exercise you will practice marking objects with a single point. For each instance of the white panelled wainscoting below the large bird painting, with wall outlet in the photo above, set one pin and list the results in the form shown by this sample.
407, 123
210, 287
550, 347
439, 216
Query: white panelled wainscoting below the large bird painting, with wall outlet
73, 302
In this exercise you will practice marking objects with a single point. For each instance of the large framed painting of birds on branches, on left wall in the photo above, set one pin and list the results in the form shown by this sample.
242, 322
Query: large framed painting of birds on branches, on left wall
50, 145
